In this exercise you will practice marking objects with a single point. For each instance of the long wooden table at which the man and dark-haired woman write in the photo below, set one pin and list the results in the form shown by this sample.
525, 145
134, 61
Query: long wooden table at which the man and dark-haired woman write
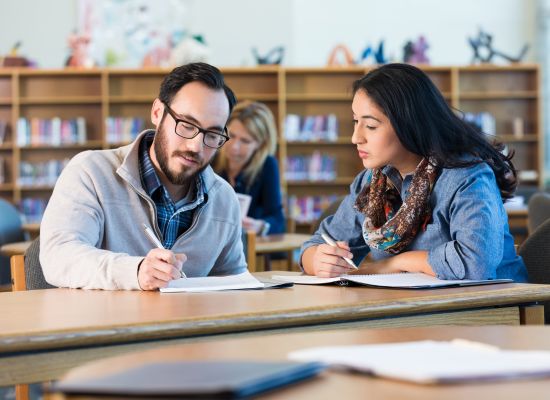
61, 318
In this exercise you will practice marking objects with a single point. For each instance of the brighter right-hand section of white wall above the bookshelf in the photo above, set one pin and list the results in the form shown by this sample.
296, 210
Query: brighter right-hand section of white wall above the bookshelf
320, 24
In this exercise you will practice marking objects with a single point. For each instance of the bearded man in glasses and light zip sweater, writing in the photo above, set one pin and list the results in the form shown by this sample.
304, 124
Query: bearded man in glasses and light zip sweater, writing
92, 232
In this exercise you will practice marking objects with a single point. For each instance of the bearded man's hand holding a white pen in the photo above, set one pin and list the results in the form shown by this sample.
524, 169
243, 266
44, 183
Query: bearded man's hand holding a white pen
159, 267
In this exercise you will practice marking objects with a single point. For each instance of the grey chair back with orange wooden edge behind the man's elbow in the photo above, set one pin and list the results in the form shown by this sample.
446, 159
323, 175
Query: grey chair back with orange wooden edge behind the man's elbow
26, 270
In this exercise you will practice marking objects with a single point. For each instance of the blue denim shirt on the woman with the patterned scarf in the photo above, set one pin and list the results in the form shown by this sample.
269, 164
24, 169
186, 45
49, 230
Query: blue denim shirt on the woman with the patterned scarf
467, 238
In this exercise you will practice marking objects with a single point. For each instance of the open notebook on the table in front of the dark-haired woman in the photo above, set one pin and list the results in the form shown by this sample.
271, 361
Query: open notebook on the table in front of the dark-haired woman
406, 280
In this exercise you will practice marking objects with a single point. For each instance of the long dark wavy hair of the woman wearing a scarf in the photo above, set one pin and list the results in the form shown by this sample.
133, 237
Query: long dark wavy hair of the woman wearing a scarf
426, 125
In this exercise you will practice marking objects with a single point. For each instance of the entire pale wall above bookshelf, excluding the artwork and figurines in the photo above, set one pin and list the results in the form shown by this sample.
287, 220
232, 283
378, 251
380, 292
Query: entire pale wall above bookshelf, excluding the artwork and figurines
307, 28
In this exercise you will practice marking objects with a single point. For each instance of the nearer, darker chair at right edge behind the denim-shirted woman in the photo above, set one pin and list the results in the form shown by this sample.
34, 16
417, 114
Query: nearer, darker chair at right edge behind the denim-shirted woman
535, 252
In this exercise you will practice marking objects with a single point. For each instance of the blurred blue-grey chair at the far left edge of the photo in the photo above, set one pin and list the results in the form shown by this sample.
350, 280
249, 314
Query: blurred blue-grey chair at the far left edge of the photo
10, 232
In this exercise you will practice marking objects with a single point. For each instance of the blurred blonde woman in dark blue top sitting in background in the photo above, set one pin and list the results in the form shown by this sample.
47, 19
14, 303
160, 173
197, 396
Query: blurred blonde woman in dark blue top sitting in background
248, 164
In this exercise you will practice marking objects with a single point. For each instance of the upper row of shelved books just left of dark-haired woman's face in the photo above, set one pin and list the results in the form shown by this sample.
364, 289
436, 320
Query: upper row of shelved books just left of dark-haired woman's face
311, 128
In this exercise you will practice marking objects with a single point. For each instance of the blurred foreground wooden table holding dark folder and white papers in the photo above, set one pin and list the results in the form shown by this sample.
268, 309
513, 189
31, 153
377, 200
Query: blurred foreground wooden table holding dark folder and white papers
345, 385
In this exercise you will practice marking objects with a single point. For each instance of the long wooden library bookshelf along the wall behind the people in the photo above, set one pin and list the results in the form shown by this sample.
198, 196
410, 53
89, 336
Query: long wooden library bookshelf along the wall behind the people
511, 94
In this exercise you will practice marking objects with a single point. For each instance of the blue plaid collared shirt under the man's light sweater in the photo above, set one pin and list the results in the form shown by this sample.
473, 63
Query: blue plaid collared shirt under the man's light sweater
173, 219
